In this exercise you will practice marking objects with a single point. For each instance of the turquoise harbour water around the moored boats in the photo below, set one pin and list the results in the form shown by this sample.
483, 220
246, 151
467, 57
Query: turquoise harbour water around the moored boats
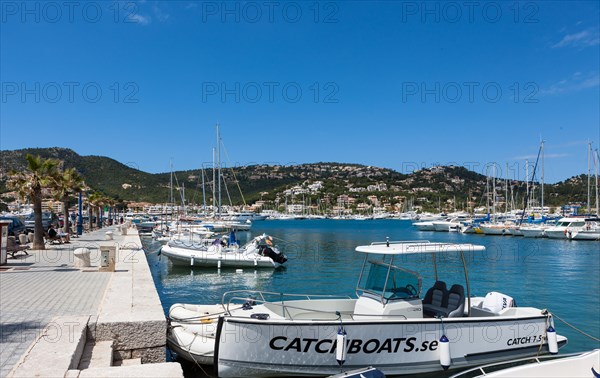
562, 276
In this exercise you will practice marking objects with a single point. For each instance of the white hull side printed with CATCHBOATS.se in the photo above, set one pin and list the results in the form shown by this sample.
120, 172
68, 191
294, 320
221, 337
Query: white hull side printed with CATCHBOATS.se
253, 347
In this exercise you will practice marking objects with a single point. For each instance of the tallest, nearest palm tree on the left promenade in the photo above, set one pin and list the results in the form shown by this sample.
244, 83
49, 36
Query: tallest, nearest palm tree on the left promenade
29, 184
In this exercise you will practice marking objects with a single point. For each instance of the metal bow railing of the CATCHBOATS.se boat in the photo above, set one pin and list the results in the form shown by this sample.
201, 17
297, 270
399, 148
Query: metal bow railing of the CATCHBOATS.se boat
236, 297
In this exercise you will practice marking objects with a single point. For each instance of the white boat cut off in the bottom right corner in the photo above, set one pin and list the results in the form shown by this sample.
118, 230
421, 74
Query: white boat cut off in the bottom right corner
585, 364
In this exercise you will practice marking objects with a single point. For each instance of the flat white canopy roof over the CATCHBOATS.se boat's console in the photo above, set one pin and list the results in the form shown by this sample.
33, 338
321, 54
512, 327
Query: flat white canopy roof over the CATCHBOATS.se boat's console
416, 247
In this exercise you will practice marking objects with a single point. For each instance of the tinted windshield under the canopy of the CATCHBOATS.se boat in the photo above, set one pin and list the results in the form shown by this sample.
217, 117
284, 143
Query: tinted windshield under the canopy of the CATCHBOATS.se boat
399, 284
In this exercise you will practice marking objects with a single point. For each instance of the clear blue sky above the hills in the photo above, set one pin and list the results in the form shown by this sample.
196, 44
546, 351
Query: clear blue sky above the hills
400, 85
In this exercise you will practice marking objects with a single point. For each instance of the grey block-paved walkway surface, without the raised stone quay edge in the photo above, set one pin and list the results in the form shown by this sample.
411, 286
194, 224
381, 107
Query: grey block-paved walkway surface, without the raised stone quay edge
43, 285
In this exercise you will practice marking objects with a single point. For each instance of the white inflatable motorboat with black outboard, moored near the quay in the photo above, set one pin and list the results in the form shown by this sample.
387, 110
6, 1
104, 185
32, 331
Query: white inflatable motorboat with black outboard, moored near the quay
258, 253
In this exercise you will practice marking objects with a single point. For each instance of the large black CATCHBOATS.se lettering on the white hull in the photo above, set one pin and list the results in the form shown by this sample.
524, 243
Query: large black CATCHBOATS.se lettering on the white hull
390, 345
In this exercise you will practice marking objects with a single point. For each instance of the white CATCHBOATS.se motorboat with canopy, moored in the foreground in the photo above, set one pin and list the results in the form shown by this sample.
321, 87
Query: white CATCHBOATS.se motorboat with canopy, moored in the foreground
390, 324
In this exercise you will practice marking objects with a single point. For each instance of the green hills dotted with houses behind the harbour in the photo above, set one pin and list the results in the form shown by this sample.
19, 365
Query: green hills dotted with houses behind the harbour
447, 187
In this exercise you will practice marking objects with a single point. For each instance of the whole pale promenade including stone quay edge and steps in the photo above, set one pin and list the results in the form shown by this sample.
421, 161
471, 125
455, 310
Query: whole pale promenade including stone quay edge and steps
49, 307
